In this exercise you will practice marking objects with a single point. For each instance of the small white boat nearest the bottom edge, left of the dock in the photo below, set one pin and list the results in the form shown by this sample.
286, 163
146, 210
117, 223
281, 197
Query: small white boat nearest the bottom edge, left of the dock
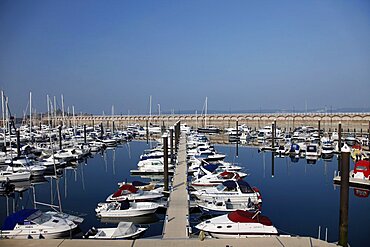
124, 230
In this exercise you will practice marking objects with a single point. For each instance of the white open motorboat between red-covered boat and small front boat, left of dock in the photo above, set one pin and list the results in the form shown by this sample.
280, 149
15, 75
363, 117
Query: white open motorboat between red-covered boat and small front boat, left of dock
125, 209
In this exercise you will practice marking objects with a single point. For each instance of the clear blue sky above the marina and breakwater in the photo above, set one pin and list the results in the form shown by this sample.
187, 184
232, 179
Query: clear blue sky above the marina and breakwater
243, 55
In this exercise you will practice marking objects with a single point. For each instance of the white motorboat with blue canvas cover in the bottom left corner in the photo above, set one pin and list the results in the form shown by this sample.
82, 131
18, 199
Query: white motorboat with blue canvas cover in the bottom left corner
32, 223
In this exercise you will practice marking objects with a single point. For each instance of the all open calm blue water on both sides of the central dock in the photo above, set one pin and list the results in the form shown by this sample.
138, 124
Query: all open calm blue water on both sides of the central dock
298, 199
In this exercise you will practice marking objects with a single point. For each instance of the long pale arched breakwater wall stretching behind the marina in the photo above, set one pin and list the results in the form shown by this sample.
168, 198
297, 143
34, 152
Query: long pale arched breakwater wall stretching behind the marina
351, 122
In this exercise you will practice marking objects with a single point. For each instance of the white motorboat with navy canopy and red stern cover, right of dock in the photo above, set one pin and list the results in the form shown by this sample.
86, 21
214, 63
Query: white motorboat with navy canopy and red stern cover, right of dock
235, 191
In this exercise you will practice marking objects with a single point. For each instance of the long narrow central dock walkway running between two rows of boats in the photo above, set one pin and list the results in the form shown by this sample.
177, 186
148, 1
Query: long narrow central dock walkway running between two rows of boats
176, 225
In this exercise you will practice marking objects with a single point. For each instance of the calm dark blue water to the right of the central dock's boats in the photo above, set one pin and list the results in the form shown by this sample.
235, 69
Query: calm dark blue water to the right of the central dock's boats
301, 197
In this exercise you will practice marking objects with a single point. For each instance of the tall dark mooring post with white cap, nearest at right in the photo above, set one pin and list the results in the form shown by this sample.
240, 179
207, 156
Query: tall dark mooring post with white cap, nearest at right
344, 197
